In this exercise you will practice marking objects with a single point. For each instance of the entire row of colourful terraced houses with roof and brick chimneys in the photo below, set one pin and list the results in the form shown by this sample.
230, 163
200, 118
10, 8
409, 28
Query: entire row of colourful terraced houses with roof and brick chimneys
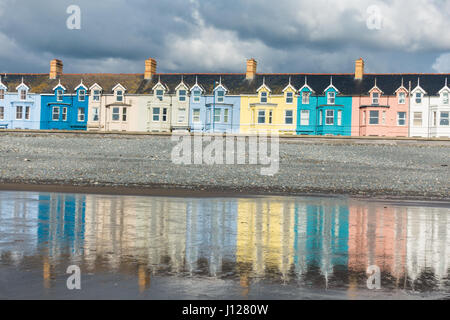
357, 104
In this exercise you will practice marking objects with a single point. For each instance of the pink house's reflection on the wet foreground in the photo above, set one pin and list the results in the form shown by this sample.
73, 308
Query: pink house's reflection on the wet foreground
377, 237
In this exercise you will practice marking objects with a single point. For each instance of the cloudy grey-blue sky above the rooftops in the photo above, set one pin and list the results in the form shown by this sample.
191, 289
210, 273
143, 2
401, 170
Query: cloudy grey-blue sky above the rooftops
284, 36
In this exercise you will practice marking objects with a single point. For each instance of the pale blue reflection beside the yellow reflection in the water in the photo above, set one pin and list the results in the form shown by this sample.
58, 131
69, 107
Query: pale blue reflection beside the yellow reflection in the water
211, 236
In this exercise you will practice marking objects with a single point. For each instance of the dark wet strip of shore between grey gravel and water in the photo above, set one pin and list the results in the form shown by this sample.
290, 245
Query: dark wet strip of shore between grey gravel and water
178, 191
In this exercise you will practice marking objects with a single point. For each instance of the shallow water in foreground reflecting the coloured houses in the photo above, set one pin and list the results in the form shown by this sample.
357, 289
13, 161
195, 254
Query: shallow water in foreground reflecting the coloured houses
221, 248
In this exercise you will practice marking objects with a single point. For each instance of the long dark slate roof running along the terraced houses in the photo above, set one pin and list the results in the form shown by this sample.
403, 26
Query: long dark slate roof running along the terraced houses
235, 83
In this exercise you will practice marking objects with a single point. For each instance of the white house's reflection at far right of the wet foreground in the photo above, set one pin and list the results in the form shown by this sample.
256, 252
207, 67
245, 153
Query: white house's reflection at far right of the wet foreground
427, 246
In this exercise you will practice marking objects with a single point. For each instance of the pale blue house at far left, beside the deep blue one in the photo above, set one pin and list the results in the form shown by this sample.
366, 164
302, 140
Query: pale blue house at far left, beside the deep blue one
20, 109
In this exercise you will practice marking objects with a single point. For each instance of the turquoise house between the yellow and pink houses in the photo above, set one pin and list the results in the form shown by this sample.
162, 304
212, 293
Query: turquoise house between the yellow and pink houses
327, 114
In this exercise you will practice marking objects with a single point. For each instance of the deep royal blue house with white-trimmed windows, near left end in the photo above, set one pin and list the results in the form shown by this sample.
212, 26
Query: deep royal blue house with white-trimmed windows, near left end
62, 110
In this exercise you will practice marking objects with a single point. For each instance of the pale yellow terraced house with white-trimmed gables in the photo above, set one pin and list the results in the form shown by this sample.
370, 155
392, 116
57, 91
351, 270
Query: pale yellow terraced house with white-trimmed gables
267, 111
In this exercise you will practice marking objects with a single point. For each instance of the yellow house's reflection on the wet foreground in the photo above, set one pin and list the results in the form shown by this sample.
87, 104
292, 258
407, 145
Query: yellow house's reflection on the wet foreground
265, 237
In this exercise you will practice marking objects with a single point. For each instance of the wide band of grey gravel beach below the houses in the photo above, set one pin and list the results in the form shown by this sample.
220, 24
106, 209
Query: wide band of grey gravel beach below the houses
389, 168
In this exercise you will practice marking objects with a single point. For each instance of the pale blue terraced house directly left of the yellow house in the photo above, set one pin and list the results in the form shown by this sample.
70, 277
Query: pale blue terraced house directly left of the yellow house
215, 112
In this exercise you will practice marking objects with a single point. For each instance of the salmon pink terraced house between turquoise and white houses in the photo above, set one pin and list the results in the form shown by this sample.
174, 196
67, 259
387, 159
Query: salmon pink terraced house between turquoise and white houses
381, 113
